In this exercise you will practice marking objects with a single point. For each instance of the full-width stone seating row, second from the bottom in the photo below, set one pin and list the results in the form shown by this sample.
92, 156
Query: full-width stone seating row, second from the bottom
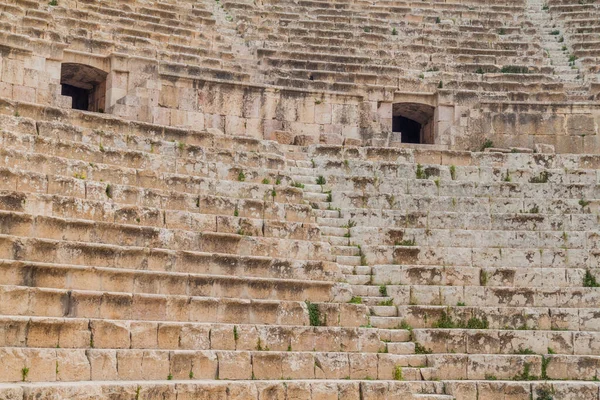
103, 365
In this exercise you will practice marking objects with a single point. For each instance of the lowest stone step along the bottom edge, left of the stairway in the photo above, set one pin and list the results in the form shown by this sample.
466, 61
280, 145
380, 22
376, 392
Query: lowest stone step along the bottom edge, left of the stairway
250, 389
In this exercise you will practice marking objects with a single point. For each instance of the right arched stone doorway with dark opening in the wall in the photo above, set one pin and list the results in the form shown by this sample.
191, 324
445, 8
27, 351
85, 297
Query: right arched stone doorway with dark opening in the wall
413, 123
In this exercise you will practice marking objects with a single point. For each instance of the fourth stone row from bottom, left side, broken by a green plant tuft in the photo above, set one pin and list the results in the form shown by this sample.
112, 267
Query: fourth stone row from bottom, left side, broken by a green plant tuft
26, 301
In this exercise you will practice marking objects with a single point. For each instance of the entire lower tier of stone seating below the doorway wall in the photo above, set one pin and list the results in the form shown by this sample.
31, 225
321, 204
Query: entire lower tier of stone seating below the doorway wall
135, 263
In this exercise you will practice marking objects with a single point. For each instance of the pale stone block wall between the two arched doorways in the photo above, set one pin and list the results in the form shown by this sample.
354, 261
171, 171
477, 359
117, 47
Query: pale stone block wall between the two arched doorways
247, 110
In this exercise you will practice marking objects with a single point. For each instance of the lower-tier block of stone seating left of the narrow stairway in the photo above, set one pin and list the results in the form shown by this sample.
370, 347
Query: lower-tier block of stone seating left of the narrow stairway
137, 264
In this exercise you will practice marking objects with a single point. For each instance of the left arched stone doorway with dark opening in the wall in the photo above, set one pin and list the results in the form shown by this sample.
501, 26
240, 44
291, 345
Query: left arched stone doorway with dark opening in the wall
85, 84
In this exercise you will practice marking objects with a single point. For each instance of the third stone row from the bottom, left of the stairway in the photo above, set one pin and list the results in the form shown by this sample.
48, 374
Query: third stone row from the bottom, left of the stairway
82, 333
